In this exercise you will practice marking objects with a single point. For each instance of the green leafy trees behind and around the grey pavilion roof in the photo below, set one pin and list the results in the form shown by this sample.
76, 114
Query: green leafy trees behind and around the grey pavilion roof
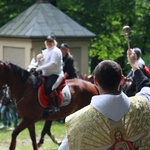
105, 18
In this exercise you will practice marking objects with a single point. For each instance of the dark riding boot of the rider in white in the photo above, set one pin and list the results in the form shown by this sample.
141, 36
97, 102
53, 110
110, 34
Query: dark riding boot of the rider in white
54, 101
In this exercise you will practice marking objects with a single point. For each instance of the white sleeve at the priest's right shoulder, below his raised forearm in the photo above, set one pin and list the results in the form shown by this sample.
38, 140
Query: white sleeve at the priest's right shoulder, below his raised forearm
145, 92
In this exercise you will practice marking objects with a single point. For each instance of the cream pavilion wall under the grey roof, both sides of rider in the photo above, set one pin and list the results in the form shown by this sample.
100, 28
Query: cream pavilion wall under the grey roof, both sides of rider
21, 51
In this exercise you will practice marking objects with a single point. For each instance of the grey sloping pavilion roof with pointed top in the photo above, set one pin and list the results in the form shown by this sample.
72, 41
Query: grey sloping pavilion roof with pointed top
41, 19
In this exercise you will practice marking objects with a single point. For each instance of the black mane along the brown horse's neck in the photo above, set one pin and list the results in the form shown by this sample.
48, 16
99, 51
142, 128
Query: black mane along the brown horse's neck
24, 74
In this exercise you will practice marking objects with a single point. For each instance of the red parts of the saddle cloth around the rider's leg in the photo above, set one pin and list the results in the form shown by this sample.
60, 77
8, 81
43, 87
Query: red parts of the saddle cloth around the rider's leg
43, 98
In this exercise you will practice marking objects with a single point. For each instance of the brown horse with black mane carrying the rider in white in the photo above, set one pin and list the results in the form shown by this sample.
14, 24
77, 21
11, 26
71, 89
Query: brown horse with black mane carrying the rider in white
28, 106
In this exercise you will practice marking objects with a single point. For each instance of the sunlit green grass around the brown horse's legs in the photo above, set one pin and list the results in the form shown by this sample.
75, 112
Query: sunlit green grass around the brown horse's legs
24, 141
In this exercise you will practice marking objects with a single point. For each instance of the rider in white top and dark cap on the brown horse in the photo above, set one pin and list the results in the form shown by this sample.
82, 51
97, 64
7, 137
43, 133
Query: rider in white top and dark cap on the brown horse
50, 64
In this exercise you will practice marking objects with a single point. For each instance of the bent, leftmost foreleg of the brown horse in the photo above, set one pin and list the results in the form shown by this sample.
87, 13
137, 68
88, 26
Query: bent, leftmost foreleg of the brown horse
15, 133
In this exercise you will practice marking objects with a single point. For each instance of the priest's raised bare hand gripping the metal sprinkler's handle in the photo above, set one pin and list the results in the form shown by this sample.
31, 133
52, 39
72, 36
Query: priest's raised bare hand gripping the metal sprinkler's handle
132, 59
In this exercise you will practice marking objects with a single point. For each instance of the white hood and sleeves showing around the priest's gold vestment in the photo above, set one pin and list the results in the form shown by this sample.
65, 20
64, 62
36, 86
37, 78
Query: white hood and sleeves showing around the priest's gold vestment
110, 105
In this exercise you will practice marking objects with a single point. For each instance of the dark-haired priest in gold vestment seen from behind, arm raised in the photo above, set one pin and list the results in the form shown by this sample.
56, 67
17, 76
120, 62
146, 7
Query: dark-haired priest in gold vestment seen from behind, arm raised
93, 126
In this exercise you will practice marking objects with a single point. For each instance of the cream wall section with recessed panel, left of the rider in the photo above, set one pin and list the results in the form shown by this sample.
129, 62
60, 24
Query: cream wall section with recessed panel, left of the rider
16, 51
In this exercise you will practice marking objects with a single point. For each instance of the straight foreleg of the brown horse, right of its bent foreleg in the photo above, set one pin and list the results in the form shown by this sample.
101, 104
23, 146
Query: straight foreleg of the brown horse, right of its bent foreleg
31, 129
